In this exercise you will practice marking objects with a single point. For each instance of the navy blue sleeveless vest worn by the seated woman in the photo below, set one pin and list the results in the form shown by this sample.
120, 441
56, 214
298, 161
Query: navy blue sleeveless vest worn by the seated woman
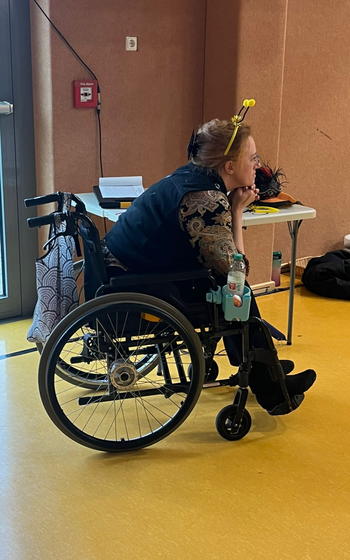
148, 236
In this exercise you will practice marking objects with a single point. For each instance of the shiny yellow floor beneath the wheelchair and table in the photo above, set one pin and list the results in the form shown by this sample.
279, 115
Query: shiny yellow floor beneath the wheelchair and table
283, 492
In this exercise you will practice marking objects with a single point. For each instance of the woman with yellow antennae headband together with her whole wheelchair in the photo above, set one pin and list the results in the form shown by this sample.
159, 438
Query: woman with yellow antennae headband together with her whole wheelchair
126, 367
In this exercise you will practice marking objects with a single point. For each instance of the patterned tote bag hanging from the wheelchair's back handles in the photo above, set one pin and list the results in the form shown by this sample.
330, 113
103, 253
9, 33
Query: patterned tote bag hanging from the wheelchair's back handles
55, 281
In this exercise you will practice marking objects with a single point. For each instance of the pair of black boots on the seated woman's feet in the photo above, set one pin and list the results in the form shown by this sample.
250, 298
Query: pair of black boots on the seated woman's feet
269, 394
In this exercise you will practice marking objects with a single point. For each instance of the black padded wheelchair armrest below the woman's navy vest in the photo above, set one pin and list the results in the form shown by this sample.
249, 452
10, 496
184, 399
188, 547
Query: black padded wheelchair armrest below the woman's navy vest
151, 278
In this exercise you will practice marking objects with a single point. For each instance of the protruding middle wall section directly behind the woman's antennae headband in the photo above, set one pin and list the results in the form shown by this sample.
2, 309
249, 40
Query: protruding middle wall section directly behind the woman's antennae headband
245, 59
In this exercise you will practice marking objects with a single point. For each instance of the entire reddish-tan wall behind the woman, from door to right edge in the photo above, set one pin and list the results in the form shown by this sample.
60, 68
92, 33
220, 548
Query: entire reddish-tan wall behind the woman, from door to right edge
198, 59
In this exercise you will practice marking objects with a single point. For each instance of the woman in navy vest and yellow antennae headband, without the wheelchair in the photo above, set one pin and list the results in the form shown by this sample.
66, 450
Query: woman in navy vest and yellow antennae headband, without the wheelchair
193, 218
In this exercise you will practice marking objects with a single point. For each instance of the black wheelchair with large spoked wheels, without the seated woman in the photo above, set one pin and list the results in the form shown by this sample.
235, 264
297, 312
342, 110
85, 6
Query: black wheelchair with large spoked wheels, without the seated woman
124, 369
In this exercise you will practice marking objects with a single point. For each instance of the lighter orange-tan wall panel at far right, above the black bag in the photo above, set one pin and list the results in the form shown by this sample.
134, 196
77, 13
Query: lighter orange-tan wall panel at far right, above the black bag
315, 121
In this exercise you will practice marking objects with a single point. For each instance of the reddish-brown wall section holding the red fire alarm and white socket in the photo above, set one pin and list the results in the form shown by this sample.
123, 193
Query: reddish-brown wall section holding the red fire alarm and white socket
151, 99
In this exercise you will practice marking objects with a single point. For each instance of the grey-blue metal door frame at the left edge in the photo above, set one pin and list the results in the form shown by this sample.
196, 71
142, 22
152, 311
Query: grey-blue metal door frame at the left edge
23, 173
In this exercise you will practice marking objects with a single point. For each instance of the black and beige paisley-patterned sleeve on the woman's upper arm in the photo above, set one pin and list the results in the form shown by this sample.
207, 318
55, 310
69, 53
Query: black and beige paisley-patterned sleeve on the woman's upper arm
206, 217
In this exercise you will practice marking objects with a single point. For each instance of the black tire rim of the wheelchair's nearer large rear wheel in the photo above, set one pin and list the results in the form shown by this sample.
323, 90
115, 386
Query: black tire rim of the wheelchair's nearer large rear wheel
81, 316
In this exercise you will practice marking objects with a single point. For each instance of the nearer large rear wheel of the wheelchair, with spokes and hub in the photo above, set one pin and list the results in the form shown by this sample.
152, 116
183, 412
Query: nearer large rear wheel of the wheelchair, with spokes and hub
129, 410
